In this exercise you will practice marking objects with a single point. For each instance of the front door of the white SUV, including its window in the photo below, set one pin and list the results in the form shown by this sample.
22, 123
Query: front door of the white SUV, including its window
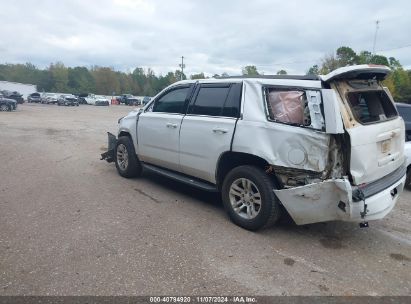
158, 128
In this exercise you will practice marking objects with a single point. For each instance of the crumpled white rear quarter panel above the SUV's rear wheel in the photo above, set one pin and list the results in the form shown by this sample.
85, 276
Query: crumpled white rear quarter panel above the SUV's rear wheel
279, 144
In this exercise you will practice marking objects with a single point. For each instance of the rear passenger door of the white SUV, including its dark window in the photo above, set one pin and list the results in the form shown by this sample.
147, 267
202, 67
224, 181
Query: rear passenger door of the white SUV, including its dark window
207, 129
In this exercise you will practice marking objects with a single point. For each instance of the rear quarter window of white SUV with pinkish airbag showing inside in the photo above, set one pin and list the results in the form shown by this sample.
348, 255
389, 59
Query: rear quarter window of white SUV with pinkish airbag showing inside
295, 107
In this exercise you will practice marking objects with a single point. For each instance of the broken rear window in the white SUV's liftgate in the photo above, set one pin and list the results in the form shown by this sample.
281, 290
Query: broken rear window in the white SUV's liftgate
371, 106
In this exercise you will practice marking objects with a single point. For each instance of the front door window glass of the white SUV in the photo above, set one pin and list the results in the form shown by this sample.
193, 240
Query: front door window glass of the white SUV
172, 102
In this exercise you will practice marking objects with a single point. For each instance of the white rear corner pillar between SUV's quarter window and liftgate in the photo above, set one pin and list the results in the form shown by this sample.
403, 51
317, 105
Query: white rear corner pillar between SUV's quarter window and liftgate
332, 113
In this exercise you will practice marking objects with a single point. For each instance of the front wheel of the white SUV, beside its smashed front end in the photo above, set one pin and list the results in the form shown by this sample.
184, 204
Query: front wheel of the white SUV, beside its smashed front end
127, 163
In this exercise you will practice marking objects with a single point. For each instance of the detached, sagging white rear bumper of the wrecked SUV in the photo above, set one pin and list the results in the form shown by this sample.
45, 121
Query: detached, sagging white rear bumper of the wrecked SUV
337, 199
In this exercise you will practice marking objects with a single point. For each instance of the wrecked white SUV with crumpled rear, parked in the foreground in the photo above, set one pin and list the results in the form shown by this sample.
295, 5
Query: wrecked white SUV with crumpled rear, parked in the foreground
326, 148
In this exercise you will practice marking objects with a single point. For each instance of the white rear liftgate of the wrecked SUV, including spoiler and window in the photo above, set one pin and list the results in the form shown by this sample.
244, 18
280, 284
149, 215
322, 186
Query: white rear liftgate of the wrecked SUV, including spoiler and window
375, 129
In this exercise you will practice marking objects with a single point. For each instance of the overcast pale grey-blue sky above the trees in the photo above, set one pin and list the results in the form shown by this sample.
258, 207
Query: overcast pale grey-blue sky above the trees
214, 36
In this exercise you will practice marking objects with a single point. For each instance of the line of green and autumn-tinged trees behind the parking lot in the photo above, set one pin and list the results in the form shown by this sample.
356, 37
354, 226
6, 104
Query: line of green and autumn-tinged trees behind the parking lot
105, 80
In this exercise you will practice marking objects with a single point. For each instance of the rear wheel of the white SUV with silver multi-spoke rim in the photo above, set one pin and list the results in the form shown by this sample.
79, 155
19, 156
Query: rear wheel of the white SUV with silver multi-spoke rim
249, 199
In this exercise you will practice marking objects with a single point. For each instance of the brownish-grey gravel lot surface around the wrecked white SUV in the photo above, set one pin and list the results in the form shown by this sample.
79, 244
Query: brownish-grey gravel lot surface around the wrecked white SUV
70, 225
